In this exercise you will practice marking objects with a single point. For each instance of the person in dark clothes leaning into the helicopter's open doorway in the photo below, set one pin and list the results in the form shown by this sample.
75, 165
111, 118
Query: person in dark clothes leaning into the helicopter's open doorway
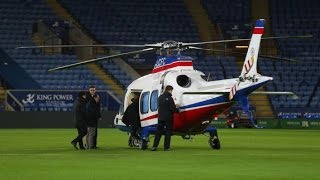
131, 118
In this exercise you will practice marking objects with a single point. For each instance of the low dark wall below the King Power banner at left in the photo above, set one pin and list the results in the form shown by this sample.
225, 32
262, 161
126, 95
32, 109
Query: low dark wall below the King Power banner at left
47, 119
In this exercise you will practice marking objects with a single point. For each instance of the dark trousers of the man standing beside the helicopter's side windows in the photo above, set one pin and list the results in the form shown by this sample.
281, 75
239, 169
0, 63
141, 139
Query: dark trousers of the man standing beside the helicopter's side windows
166, 127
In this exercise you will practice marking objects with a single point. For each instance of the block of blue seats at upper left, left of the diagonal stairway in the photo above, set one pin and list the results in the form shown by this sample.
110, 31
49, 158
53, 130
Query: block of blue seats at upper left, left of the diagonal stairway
18, 18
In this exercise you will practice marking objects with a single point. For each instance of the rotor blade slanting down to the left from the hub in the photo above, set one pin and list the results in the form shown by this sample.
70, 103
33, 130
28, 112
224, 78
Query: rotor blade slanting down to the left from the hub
99, 59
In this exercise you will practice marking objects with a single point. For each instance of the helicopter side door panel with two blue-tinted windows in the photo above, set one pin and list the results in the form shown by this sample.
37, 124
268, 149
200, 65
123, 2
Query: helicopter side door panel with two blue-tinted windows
149, 107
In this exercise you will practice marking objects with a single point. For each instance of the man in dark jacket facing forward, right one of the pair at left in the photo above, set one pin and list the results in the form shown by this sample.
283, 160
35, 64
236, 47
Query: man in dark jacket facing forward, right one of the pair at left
92, 114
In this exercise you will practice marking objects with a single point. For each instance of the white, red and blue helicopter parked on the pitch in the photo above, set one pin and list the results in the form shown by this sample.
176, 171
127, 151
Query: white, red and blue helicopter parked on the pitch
198, 100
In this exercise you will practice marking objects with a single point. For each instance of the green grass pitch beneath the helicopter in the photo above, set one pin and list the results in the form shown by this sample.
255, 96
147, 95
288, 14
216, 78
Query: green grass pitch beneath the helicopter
245, 154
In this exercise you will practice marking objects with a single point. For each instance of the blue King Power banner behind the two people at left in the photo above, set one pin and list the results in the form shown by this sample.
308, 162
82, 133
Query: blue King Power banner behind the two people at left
55, 100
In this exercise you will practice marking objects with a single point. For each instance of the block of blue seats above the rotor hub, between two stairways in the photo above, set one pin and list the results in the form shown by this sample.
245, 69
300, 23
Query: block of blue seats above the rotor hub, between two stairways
128, 22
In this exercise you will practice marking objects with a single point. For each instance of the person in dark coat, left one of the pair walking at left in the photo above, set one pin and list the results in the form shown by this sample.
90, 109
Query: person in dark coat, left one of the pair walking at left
80, 118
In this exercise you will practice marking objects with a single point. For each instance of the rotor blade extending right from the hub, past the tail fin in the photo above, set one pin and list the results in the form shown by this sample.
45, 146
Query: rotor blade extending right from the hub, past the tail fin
236, 40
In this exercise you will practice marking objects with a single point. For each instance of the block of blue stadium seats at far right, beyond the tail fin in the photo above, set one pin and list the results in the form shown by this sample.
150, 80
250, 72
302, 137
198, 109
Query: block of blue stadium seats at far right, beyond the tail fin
290, 18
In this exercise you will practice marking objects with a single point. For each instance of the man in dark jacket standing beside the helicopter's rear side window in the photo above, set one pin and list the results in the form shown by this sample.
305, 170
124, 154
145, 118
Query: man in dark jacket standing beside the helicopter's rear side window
166, 109
